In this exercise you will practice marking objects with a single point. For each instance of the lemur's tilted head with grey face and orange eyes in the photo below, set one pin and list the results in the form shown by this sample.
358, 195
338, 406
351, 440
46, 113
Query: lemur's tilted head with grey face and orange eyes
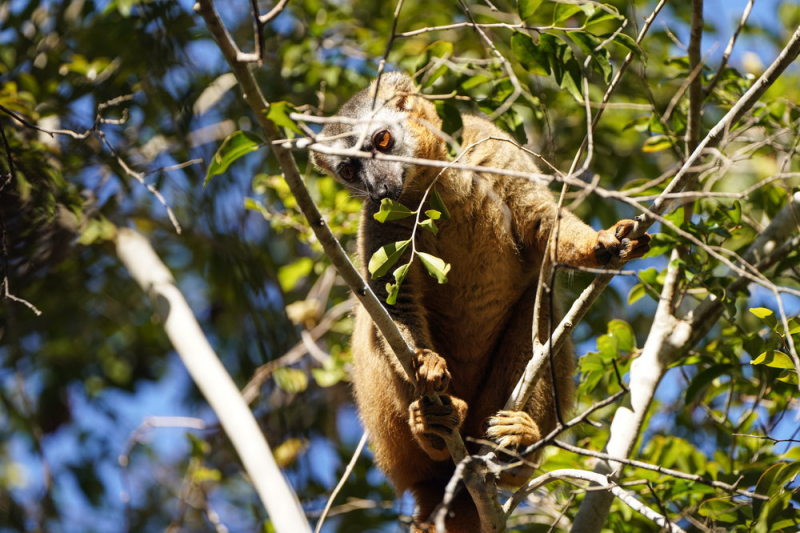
380, 131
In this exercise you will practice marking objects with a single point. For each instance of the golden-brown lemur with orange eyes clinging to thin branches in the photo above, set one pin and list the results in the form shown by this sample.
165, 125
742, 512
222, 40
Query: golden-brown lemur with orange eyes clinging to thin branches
472, 335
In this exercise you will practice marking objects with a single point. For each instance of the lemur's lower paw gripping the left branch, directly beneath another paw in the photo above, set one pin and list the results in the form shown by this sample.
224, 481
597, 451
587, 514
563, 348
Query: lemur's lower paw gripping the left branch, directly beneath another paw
431, 423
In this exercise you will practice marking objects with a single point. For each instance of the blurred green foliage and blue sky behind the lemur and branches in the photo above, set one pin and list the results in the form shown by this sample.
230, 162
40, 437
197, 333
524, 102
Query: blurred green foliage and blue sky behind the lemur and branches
143, 89
